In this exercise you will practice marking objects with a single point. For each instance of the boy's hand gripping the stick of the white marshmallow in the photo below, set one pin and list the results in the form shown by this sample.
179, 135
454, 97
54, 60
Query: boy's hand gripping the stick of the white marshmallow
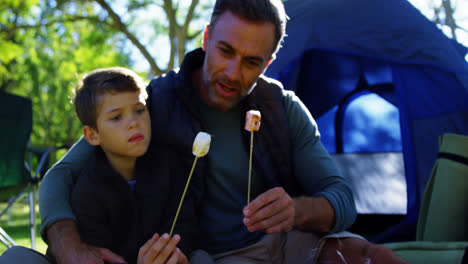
159, 250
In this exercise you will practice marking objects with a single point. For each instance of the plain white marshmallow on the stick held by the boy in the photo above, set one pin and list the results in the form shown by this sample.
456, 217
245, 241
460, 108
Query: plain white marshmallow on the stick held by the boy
201, 146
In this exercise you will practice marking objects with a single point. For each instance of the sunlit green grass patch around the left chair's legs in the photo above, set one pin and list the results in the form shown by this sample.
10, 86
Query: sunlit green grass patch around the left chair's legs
16, 224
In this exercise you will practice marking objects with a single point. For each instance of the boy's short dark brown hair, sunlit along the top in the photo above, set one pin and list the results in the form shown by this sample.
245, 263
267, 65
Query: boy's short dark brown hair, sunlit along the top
103, 81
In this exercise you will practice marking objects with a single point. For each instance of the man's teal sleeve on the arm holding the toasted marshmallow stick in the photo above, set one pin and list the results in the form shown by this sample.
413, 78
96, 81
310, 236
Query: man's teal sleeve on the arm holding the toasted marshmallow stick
313, 166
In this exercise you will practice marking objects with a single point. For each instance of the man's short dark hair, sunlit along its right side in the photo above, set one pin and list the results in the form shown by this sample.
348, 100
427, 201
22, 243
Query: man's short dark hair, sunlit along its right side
255, 10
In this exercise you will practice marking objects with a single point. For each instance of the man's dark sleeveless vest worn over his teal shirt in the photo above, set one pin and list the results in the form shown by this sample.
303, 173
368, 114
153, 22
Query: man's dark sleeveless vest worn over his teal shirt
176, 119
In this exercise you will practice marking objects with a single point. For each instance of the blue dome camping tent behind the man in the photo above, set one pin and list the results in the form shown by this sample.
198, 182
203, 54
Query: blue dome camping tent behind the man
378, 77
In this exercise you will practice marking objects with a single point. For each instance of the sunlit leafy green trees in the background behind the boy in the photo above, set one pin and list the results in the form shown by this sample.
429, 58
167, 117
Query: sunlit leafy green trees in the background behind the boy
45, 46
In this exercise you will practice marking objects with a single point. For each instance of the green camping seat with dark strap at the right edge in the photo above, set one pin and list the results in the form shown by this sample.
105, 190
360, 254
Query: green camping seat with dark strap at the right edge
442, 231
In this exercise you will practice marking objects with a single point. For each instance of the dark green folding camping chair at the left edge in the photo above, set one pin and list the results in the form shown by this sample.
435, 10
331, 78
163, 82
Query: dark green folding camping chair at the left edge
16, 176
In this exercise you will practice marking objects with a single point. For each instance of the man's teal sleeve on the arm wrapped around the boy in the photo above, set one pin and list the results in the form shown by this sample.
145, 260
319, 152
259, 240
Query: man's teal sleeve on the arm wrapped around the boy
56, 187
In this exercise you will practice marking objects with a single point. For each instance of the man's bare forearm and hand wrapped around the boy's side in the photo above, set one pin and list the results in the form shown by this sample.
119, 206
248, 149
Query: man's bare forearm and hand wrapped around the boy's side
66, 245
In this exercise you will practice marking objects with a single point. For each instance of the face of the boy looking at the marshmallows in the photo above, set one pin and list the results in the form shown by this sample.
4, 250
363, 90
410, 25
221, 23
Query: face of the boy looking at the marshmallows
123, 125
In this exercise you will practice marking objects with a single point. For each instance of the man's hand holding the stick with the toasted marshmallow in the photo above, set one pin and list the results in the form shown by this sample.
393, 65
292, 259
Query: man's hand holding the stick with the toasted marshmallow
273, 212
